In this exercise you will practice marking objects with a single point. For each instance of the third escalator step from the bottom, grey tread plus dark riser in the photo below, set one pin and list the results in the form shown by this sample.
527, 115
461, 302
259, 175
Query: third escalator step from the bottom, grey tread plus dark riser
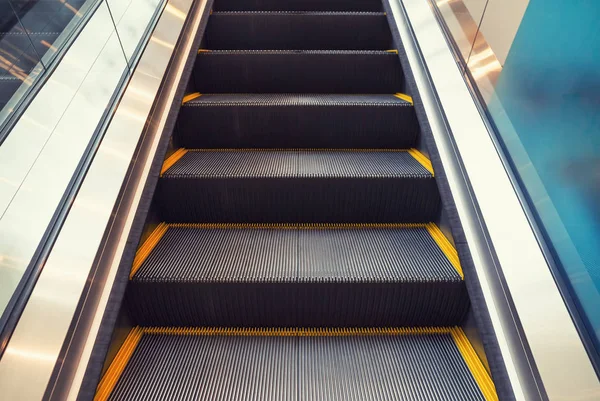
306, 186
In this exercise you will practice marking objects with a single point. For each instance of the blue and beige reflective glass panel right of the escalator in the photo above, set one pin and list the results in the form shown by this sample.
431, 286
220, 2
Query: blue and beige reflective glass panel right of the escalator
536, 66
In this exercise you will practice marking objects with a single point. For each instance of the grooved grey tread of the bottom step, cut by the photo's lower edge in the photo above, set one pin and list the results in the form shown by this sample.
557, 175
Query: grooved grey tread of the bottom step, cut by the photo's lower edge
407, 367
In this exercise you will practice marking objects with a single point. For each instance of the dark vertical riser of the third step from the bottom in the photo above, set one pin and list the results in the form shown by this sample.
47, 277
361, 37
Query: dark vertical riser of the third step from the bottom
299, 200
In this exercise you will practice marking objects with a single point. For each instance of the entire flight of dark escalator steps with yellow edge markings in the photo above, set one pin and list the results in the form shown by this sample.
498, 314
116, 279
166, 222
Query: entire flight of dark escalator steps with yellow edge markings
299, 254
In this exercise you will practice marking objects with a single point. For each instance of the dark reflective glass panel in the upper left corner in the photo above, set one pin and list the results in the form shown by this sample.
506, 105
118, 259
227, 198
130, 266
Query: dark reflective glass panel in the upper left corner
31, 33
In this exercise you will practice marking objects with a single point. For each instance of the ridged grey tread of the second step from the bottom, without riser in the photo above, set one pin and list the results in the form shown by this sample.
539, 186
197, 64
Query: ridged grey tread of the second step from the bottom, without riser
233, 253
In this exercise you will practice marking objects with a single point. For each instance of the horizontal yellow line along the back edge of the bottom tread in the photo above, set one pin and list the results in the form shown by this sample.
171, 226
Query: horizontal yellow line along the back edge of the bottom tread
292, 332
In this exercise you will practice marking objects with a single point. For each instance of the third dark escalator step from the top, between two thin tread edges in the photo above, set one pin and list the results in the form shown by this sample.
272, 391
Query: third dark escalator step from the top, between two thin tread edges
298, 71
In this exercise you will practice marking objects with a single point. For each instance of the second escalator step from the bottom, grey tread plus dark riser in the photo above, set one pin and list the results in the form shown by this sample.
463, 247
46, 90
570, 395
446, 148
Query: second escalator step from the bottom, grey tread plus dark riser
297, 276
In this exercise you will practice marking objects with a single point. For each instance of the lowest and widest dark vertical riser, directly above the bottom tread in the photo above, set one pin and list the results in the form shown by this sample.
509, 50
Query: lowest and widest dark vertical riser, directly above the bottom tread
311, 304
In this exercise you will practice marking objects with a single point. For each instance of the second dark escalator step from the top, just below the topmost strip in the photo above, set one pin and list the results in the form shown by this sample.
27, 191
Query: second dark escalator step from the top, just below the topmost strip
298, 30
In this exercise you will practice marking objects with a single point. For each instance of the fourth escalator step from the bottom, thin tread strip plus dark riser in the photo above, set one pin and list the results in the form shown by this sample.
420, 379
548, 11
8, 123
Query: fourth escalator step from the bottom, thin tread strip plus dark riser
297, 121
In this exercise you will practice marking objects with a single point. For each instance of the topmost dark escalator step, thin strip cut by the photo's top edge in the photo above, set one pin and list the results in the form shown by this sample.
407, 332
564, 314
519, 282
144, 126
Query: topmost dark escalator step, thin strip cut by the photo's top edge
298, 5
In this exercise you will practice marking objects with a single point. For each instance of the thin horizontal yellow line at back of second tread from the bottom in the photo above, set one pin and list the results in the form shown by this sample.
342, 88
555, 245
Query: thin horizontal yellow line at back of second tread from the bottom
276, 226
